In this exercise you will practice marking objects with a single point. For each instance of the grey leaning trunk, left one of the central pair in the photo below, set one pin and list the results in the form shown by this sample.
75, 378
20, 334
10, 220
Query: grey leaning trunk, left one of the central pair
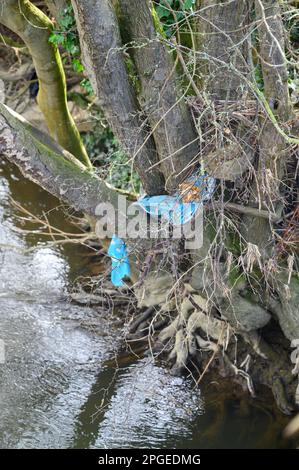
104, 61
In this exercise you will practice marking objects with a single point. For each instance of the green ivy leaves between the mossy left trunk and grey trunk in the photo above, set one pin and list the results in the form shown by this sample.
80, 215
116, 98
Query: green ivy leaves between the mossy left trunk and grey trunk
66, 37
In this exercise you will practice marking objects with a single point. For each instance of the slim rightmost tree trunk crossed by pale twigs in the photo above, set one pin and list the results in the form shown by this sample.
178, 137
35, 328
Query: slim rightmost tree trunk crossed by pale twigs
267, 187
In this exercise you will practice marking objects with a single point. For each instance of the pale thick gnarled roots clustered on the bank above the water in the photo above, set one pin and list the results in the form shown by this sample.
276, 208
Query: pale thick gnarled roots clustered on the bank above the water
183, 337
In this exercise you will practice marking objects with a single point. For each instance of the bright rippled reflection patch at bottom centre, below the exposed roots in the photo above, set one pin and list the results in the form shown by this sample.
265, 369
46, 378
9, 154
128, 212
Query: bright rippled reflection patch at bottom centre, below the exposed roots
148, 409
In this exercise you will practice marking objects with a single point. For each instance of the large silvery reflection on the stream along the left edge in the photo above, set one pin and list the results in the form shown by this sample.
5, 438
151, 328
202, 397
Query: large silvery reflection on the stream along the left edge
51, 362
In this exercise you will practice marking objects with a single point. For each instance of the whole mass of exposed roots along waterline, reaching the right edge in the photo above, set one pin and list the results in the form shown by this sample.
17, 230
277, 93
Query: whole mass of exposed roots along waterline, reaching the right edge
187, 335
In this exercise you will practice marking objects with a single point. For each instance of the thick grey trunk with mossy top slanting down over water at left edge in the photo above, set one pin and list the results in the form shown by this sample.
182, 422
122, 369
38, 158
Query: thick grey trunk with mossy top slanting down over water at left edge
43, 161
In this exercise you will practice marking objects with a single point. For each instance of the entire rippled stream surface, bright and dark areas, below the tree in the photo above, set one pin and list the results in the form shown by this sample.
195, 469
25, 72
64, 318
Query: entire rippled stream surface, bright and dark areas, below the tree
59, 387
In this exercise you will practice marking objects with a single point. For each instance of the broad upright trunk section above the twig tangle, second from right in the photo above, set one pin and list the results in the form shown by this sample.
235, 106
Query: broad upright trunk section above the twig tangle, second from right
222, 28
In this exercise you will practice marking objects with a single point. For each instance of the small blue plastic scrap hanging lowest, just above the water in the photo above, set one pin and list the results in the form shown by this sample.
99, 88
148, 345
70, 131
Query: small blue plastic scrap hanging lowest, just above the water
120, 261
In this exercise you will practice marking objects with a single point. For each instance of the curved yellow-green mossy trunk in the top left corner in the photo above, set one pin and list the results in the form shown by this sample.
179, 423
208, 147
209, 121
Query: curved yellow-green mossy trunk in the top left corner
34, 28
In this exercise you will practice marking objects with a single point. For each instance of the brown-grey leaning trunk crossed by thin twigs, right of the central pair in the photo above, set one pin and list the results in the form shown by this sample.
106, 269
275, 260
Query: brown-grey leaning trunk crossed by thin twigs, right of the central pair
161, 97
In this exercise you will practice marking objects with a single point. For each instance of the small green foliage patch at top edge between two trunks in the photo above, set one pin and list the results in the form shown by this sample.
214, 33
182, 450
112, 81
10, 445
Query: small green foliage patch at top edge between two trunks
172, 12
